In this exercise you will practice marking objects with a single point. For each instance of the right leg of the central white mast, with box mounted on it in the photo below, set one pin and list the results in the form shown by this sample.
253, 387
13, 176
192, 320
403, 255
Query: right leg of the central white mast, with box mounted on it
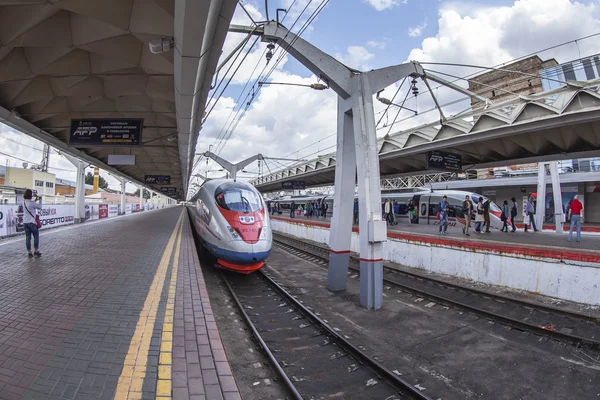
373, 231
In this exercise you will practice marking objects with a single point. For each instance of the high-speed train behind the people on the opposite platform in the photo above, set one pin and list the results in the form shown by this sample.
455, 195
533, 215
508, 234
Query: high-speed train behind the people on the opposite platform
428, 205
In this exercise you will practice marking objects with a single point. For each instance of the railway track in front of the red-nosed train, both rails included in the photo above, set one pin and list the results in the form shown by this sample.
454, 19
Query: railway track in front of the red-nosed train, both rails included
312, 359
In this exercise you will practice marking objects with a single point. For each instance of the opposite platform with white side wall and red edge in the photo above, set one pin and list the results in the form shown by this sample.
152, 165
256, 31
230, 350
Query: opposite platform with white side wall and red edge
541, 263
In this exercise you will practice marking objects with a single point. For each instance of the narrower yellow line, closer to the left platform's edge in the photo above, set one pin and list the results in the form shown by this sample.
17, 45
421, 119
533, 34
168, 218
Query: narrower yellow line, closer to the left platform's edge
164, 383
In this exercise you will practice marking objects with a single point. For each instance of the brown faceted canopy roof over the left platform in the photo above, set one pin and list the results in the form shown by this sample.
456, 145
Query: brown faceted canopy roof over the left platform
79, 59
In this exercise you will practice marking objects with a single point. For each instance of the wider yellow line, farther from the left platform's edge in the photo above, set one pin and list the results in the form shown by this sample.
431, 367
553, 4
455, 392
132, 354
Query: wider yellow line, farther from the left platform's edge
134, 368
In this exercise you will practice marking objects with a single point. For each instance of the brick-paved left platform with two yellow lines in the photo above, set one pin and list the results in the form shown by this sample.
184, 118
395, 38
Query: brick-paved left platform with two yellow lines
116, 309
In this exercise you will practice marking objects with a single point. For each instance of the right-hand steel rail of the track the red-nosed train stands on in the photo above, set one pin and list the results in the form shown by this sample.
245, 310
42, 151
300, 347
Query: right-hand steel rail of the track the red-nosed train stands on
392, 378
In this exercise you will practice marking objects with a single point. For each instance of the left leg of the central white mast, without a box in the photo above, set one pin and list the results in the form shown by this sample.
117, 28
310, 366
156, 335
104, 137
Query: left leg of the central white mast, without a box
340, 236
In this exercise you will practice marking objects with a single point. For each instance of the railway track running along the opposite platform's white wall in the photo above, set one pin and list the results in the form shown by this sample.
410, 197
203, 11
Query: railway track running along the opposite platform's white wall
578, 329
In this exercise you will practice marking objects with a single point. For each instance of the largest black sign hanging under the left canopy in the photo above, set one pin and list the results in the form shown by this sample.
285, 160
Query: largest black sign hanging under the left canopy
106, 132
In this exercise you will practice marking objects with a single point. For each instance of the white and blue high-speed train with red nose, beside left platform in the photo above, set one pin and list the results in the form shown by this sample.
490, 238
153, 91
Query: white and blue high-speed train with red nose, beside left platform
233, 225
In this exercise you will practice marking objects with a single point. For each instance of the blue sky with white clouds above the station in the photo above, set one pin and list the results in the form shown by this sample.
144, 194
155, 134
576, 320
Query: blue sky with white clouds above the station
298, 122
